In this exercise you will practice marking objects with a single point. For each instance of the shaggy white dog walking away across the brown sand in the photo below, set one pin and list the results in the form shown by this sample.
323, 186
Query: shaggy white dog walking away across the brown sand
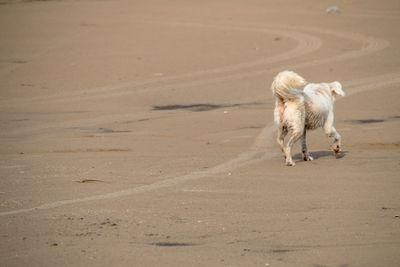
297, 111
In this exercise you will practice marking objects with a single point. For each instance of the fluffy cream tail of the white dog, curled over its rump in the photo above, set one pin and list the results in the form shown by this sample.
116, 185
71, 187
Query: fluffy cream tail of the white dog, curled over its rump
285, 85
